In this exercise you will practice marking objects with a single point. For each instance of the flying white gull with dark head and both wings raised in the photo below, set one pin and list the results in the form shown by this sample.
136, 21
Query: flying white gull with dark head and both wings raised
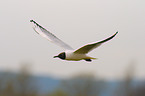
69, 53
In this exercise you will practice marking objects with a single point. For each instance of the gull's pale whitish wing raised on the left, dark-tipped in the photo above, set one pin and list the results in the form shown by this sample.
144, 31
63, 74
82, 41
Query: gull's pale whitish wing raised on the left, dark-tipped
49, 36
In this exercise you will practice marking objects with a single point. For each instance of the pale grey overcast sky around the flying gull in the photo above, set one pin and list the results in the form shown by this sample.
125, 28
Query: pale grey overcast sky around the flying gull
76, 22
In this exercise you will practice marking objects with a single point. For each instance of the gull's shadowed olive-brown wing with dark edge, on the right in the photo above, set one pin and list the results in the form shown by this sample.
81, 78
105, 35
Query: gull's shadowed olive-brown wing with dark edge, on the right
87, 48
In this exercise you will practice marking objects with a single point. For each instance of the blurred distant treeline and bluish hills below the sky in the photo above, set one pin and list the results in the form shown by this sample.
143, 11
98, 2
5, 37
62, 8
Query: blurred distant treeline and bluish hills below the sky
23, 84
